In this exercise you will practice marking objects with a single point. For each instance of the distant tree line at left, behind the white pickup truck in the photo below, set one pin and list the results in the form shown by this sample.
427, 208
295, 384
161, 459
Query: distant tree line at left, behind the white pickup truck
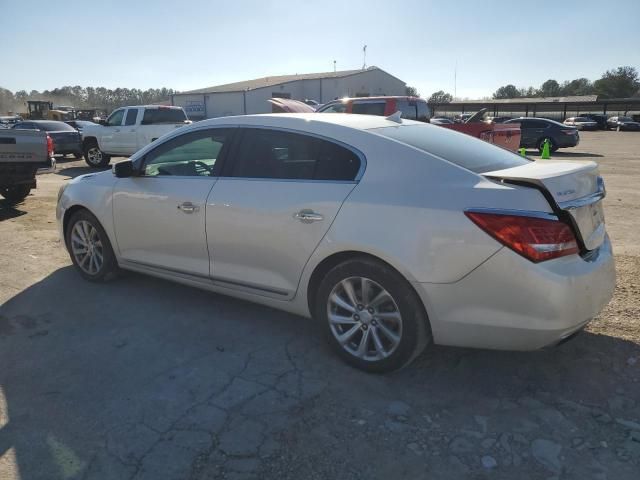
84, 97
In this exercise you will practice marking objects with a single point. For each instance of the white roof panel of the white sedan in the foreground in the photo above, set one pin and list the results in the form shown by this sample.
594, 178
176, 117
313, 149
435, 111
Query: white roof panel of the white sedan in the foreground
303, 120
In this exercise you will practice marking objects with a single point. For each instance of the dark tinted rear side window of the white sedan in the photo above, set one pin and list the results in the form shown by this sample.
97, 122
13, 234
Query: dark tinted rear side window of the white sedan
276, 154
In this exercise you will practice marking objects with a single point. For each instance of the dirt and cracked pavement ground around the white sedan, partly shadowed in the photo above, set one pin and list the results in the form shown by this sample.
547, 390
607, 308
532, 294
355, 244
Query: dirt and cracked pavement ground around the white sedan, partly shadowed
145, 379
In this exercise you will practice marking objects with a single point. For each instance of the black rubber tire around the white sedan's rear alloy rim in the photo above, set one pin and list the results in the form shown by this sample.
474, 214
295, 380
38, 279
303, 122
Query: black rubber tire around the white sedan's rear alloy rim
414, 328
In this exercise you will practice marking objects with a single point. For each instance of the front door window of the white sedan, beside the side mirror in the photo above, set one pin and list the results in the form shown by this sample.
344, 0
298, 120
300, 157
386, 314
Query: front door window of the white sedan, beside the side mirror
193, 154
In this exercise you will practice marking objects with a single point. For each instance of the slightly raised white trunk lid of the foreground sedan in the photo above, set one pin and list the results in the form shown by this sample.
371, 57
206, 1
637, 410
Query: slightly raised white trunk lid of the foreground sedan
574, 188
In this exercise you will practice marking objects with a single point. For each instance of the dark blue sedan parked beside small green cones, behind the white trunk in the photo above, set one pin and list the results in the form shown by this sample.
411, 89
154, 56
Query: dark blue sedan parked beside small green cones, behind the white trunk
534, 132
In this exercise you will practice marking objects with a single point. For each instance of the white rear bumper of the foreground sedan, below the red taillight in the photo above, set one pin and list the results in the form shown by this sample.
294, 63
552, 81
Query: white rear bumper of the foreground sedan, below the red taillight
509, 303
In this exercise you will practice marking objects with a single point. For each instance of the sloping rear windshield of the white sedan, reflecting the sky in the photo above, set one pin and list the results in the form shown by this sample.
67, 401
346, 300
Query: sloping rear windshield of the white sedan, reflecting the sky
458, 148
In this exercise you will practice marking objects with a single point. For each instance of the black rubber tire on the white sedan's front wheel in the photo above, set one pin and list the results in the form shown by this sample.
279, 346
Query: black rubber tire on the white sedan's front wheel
109, 267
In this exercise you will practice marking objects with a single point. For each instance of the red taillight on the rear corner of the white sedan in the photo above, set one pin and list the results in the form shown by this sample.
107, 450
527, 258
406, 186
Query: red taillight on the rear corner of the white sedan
536, 239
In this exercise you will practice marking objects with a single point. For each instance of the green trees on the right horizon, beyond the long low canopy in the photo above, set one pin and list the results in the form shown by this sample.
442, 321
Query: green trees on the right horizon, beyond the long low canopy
621, 82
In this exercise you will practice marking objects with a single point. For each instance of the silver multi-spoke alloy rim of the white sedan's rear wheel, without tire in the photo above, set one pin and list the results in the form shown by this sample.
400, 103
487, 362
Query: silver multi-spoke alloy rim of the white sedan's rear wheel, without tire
364, 318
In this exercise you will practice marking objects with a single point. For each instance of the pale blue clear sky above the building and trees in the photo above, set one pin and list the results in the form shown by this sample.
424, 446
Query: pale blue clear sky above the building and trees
198, 43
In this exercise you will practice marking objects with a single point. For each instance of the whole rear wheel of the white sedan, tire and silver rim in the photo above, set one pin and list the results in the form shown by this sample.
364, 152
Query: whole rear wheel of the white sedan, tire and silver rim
372, 316
